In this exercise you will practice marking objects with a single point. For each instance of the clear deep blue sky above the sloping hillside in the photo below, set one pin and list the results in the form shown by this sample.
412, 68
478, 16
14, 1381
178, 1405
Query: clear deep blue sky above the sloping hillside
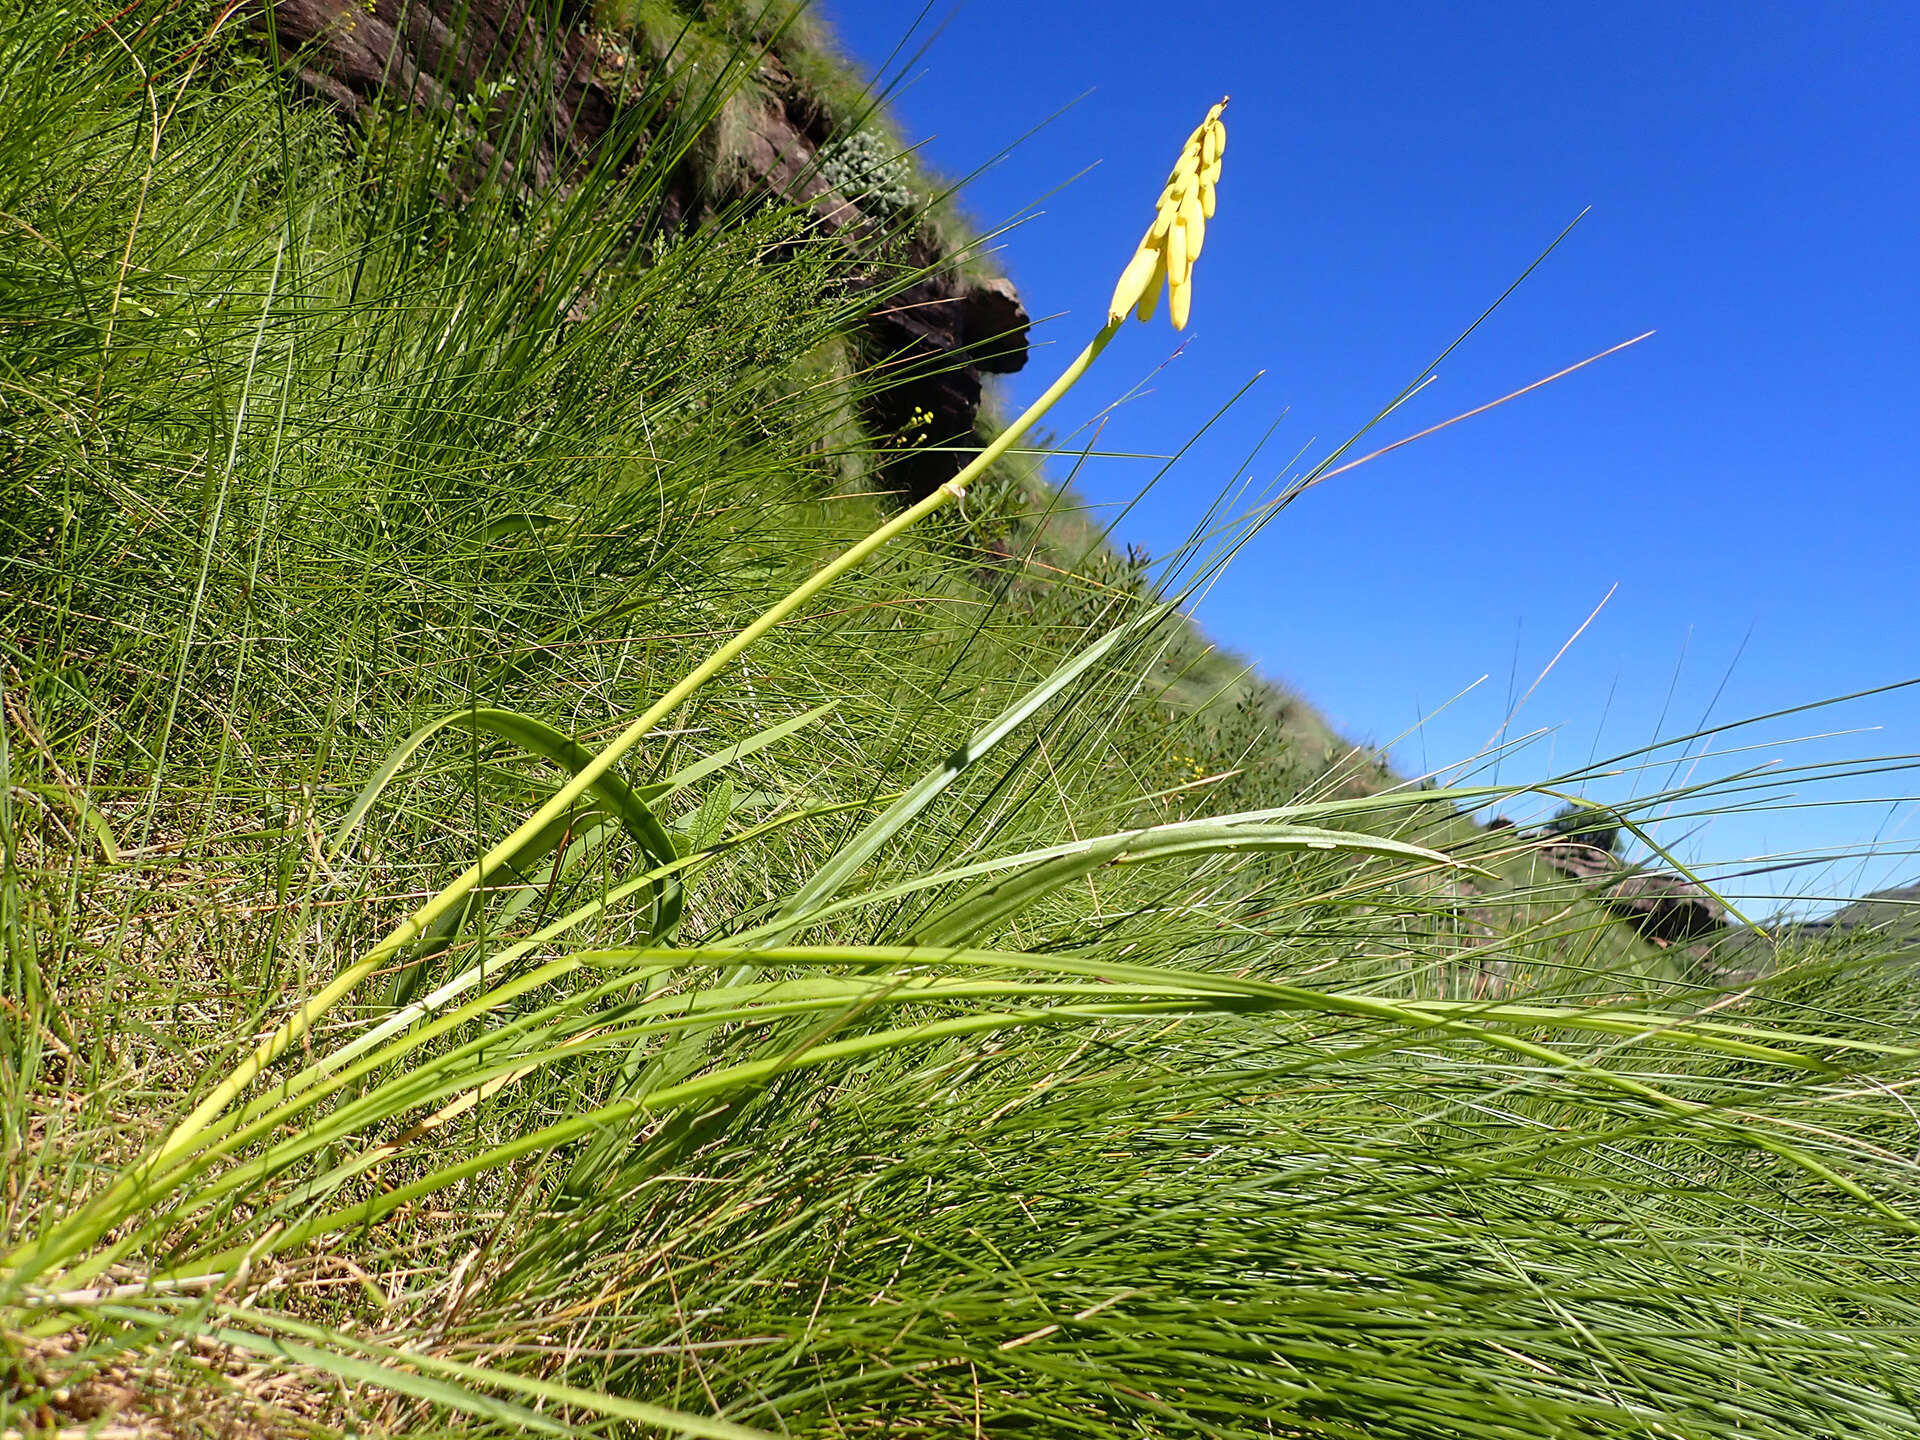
1746, 477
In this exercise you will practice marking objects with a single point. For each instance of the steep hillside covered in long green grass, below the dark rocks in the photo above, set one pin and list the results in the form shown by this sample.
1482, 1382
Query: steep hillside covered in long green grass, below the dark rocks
971, 1013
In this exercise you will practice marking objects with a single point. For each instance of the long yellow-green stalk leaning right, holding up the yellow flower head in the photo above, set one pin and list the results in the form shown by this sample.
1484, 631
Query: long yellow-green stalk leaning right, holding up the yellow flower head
141, 1180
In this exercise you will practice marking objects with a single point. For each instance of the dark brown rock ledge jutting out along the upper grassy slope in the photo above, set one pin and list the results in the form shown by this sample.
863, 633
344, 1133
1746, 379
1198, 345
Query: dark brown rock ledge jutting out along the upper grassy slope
932, 345
